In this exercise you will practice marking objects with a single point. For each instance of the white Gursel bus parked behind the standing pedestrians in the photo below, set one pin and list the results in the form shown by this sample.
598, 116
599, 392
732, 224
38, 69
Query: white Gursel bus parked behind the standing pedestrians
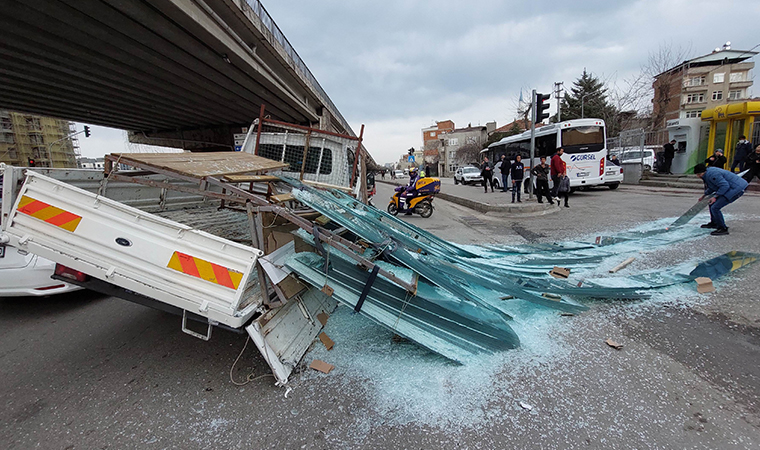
584, 141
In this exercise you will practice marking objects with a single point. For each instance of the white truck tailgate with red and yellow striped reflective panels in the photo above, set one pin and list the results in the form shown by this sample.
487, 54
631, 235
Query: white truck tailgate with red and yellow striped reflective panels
168, 261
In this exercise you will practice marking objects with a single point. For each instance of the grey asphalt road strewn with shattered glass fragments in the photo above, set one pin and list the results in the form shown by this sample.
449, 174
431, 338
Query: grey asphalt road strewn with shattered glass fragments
87, 371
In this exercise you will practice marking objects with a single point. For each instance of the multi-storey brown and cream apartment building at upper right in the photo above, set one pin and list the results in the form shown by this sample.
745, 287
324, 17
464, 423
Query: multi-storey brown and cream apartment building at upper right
706, 82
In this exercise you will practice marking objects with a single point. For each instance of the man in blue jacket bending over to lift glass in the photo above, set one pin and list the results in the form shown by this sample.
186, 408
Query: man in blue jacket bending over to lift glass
726, 186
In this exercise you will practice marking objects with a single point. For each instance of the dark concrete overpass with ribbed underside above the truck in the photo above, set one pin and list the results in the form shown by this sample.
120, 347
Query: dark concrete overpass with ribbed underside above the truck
182, 73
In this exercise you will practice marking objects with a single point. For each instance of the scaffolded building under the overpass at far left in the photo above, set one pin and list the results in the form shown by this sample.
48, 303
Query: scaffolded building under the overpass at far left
25, 138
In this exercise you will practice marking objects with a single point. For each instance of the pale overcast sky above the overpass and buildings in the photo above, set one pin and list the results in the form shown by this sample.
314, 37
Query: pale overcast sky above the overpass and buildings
399, 66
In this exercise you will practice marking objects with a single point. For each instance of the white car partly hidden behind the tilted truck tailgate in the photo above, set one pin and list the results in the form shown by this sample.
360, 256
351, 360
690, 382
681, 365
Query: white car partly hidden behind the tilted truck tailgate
25, 274
